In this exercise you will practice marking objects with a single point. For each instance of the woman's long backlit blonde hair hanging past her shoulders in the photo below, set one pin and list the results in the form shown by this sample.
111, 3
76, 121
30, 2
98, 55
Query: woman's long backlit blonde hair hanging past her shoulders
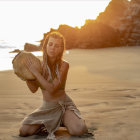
55, 35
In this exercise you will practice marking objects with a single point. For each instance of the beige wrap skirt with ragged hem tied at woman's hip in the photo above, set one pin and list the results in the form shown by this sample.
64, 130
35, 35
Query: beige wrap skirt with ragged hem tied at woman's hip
50, 114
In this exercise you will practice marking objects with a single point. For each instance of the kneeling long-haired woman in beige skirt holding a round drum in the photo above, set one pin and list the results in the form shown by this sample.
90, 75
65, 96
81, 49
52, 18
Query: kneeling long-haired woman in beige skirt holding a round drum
57, 108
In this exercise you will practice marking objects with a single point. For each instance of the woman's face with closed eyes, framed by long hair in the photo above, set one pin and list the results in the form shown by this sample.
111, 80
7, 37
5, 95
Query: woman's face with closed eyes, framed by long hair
54, 47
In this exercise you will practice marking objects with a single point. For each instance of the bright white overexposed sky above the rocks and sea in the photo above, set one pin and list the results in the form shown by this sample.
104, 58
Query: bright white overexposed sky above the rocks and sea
27, 21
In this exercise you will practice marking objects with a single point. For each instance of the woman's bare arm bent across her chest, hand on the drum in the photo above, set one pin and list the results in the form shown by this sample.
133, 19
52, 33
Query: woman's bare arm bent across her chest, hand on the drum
44, 84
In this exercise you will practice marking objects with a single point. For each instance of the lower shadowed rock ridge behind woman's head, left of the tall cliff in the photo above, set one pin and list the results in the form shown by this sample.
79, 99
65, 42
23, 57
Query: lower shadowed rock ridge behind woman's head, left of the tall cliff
91, 35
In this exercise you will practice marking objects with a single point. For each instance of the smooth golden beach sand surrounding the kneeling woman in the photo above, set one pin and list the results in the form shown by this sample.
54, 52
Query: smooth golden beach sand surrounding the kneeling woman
103, 83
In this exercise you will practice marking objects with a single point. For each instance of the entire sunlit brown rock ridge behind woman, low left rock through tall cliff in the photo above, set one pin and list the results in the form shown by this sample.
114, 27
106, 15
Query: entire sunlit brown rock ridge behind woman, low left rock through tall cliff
117, 25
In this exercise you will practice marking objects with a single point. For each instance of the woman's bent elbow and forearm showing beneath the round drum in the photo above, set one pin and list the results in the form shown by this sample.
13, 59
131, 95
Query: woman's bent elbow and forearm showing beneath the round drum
32, 85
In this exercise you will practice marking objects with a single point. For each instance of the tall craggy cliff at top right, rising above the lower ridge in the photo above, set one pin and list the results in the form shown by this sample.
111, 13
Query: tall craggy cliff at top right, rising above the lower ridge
124, 16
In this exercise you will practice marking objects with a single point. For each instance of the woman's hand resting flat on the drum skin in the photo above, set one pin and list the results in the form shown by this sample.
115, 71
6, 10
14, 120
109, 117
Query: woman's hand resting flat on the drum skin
30, 65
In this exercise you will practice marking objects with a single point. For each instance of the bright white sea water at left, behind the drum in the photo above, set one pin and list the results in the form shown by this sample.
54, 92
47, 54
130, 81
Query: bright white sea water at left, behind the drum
6, 57
